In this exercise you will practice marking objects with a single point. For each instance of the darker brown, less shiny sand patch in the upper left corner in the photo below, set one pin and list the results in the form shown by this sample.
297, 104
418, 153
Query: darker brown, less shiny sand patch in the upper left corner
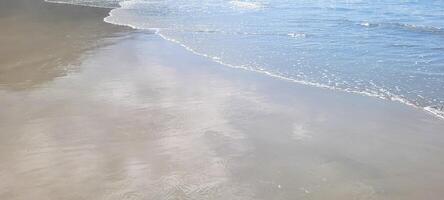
40, 41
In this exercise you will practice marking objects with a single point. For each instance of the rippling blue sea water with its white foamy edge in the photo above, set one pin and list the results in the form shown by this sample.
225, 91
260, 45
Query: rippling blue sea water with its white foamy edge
391, 49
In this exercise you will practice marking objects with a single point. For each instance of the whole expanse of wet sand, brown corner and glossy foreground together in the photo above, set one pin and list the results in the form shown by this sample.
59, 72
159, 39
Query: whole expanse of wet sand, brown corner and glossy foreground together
131, 116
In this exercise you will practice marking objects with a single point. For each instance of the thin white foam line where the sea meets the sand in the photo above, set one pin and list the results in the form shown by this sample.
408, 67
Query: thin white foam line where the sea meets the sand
434, 109
